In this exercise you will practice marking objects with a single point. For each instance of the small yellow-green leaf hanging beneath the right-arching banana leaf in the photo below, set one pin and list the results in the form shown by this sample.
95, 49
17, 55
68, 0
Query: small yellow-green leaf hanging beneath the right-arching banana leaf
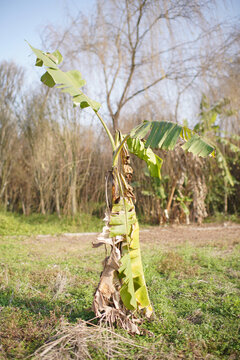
154, 162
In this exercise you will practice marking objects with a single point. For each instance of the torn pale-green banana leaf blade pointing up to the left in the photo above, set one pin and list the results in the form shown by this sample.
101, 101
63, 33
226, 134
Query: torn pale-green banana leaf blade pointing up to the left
69, 82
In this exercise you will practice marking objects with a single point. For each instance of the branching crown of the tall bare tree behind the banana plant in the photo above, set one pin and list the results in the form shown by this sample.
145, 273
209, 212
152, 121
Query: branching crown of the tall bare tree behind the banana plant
134, 45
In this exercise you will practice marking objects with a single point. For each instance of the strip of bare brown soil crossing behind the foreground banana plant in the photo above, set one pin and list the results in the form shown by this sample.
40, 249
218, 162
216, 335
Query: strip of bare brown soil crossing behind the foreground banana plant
166, 236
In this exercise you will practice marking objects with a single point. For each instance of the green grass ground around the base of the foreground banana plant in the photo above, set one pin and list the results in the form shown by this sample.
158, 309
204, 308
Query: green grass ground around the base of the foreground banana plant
194, 288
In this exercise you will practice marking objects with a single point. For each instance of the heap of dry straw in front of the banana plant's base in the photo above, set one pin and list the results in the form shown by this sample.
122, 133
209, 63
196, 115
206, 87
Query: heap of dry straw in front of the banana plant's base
88, 341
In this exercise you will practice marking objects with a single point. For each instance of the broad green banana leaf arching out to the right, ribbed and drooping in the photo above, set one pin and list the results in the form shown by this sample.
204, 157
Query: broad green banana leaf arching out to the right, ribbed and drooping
165, 134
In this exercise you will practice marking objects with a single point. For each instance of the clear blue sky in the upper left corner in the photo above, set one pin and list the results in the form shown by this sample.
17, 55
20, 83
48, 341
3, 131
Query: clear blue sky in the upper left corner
25, 19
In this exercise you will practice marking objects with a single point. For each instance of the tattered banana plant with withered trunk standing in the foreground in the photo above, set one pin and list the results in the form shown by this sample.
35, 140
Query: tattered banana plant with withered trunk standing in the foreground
122, 294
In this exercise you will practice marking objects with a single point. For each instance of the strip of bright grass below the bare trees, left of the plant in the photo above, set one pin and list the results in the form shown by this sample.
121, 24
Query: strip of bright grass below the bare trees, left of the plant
16, 224
